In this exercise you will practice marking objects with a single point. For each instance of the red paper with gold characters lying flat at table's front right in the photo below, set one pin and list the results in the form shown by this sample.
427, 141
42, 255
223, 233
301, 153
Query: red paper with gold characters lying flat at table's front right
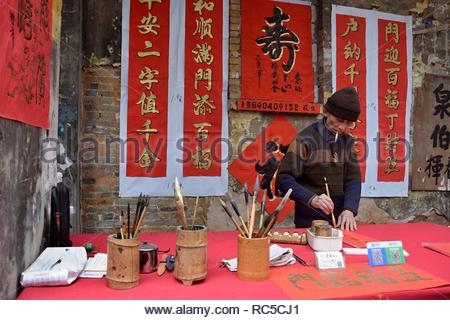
359, 279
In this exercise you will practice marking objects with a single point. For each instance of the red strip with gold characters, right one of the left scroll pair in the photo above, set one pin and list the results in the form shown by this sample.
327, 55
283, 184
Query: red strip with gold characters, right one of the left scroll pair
203, 84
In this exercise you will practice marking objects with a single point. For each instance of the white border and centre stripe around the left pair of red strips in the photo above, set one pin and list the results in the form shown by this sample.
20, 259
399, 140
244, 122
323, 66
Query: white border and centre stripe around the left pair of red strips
163, 186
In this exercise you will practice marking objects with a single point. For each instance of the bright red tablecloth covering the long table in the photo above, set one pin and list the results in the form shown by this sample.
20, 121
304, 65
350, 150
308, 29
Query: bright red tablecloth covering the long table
221, 284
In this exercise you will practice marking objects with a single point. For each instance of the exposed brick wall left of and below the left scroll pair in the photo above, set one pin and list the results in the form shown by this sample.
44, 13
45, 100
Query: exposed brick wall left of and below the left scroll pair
99, 150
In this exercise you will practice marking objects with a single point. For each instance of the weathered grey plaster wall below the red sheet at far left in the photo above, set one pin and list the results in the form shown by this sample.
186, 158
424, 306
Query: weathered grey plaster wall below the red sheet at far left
23, 201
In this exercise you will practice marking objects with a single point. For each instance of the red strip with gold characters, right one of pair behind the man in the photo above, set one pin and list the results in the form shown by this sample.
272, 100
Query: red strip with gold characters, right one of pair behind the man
392, 88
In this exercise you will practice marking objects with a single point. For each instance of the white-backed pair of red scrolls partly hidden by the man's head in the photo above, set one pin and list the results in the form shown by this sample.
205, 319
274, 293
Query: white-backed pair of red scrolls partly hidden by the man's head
372, 51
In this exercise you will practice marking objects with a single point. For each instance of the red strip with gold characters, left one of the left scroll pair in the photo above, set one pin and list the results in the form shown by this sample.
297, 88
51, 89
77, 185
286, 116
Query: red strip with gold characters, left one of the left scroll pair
147, 110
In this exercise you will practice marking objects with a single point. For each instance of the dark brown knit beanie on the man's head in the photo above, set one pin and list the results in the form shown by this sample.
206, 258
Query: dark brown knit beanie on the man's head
344, 104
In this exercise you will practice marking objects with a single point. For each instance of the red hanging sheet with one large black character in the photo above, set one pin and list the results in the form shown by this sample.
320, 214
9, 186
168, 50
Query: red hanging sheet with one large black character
276, 59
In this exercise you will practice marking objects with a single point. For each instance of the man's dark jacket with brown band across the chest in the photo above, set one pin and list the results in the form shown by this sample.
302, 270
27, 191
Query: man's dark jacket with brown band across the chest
311, 156
